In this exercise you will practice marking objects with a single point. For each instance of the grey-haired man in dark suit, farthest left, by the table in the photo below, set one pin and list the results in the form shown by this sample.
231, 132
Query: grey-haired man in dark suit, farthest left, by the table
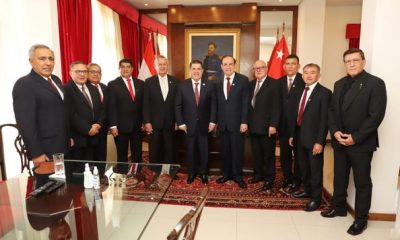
39, 108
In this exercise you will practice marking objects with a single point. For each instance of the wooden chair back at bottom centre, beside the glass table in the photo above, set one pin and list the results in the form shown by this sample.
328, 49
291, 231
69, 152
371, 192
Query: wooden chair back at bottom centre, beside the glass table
190, 221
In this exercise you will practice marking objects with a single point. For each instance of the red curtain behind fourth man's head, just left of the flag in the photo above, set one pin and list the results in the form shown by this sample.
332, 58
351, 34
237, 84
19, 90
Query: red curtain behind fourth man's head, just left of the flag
130, 41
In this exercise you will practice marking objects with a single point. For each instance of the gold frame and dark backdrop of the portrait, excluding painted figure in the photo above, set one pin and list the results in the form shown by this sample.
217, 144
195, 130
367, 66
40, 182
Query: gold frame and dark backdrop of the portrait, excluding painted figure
196, 41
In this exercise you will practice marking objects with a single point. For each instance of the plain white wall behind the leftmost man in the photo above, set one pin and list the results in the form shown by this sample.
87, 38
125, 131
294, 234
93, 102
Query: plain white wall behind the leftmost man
22, 24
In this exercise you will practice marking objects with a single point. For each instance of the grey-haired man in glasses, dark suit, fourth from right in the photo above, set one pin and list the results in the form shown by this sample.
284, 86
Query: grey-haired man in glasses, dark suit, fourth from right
264, 114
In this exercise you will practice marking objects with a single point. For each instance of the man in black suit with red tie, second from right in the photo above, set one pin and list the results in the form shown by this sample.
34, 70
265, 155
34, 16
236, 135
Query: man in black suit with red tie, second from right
308, 129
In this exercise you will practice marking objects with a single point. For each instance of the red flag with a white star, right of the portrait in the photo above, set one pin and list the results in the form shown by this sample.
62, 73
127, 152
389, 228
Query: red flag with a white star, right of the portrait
277, 59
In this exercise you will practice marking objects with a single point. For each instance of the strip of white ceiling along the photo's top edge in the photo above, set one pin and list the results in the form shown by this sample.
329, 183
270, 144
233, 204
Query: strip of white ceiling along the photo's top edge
156, 4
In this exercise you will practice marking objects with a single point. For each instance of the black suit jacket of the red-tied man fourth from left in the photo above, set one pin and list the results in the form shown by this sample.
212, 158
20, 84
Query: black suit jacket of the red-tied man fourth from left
122, 111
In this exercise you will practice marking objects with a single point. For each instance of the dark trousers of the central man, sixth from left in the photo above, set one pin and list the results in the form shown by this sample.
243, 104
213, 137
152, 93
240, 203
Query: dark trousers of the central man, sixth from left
197, 149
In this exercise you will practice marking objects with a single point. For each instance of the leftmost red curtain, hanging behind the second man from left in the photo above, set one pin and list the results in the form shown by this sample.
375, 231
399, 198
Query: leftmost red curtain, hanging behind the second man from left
75, 30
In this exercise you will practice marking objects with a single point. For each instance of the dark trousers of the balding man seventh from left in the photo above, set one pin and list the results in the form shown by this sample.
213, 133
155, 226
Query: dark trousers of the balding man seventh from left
233, 146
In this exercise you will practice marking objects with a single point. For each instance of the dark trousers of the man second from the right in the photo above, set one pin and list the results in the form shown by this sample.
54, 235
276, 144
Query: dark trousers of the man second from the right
312, 170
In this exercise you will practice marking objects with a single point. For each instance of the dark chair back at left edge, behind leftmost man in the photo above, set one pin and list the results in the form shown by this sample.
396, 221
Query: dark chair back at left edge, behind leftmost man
19, 147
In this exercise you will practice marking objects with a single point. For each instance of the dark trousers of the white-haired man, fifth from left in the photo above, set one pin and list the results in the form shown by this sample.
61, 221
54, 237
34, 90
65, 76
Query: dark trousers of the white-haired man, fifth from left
162, 146
